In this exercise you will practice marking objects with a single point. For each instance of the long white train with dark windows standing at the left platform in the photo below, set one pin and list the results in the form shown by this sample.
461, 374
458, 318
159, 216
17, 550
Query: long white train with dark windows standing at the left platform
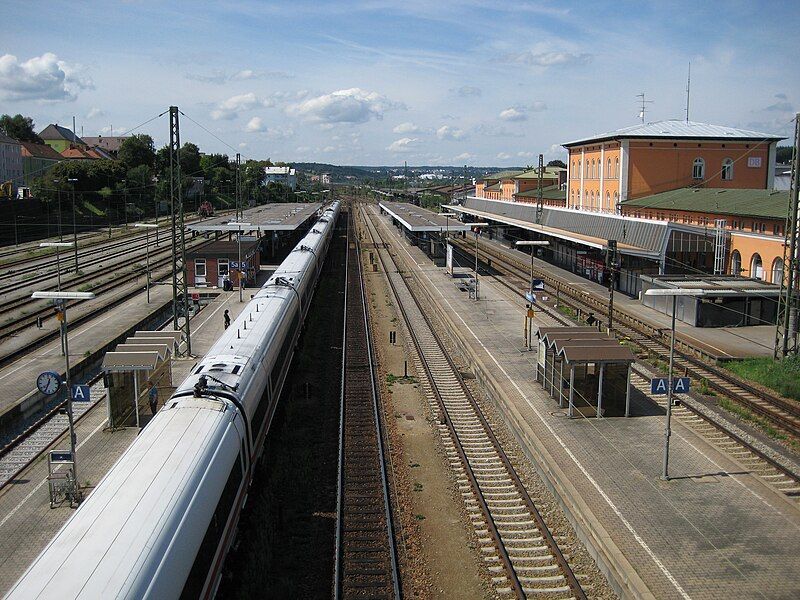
161, 521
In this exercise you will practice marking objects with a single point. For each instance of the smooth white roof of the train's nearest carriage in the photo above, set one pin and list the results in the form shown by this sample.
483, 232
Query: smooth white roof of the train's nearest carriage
113, 544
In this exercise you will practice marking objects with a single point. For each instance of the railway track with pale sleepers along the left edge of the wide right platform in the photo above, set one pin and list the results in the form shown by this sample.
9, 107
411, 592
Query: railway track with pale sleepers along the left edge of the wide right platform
521, 553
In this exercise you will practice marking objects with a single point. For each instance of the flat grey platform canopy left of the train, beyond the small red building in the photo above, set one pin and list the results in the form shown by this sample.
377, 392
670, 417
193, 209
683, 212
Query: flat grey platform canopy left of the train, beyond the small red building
279, 216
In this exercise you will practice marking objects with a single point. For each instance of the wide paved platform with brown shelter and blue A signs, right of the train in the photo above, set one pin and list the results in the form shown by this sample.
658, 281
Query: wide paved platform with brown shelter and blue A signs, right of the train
714, 531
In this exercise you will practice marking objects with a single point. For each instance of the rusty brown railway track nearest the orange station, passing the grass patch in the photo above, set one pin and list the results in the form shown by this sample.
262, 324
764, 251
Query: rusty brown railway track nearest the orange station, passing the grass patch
782, 412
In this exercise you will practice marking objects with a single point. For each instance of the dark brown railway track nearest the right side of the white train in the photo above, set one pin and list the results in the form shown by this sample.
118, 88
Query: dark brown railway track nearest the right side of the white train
366, 561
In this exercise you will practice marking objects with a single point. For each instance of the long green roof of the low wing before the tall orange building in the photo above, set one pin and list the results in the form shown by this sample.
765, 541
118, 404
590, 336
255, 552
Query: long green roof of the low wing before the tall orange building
767, 204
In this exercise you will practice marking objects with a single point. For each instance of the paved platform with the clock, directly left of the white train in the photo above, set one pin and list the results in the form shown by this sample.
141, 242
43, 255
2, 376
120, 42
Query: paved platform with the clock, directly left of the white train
27, 523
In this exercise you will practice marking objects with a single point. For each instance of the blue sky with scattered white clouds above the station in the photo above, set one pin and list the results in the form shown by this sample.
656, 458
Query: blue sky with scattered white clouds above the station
374, 82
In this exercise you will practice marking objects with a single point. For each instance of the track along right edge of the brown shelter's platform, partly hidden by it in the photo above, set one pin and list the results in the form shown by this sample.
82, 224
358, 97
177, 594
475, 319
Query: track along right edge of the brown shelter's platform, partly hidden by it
756, 461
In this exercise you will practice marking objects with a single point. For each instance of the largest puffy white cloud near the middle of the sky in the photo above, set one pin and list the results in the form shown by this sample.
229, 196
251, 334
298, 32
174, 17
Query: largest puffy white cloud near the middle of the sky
352, 106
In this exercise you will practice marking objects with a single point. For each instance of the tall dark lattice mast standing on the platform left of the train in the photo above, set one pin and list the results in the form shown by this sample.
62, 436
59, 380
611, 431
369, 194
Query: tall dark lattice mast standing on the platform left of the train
180, 293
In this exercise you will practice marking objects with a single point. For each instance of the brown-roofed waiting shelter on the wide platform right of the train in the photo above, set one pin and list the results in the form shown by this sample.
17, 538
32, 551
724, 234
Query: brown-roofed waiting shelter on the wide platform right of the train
586, 370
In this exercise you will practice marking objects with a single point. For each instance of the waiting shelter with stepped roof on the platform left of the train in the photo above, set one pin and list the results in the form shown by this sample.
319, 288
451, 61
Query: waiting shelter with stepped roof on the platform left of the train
138, 377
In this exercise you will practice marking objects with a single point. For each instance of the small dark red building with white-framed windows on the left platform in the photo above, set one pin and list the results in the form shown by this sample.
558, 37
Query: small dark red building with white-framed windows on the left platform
214, 263
